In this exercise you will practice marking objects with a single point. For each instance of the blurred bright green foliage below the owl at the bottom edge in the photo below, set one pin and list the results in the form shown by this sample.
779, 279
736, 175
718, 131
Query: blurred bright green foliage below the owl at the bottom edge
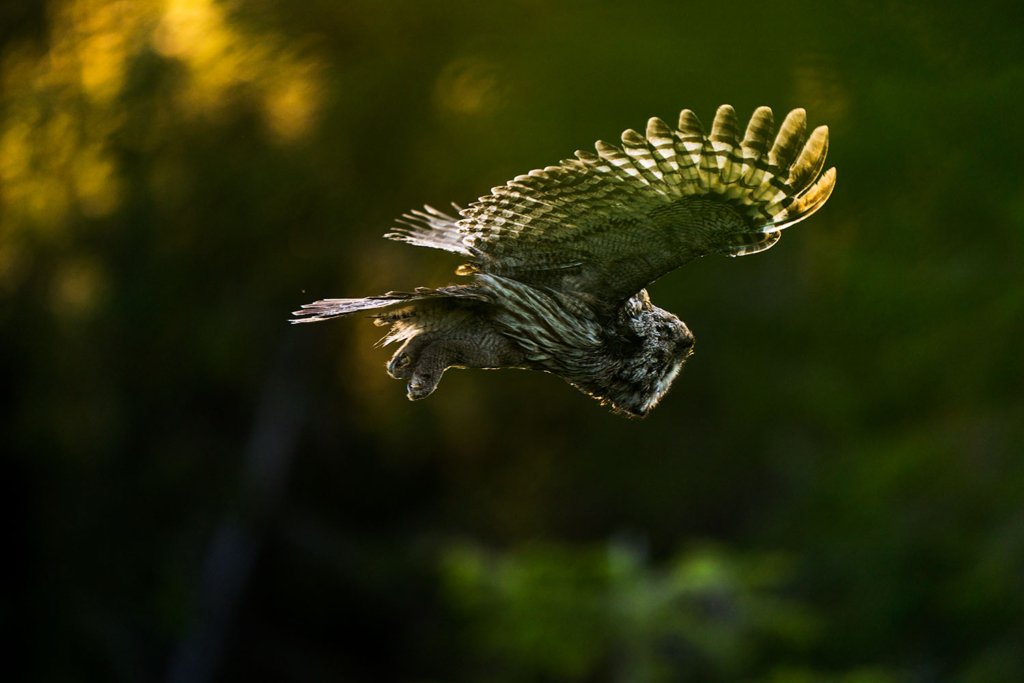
572, 614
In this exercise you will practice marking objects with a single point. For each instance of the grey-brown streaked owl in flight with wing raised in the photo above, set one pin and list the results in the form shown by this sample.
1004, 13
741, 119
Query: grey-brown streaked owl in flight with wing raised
560, 259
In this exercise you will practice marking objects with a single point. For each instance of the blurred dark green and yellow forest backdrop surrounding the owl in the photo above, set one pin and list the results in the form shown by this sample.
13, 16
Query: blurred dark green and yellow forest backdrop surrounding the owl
197, 491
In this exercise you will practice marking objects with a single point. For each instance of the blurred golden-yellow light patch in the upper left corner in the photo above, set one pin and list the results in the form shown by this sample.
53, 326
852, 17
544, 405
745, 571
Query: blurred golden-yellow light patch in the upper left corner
65, 114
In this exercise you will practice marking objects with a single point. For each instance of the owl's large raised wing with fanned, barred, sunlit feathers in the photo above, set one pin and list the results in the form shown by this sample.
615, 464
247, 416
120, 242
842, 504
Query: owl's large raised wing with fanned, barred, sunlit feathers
605, 226
